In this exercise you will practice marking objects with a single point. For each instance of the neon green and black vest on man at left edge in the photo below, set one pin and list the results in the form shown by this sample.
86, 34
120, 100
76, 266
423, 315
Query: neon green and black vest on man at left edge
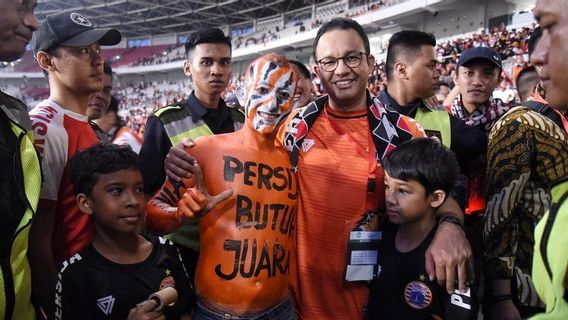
15, 297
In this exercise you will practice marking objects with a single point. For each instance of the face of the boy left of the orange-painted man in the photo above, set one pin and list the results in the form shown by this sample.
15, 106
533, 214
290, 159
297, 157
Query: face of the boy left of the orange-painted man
117, 201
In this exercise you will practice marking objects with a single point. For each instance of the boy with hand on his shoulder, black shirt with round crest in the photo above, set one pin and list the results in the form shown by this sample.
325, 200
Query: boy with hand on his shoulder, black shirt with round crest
418, 176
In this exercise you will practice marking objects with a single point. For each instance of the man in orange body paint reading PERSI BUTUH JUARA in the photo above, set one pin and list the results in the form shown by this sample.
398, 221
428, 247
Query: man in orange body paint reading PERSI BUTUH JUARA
246, 231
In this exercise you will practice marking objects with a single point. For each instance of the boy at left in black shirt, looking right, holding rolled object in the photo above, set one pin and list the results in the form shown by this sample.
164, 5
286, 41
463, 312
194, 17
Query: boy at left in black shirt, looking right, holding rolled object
120, 268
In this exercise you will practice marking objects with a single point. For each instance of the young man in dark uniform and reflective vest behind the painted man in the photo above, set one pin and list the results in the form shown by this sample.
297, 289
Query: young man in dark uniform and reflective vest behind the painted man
208, 65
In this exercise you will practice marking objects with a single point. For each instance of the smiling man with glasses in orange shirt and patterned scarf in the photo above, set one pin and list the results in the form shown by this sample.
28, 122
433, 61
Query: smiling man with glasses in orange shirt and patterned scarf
335, 143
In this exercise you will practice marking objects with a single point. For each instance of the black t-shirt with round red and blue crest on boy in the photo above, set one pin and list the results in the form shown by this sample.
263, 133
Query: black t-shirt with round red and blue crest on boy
403, 290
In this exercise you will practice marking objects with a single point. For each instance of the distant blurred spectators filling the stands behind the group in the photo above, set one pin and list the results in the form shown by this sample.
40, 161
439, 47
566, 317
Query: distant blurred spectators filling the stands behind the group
144, 98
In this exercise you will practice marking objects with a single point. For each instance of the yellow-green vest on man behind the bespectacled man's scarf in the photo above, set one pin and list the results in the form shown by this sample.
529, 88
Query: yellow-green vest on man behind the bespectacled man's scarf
435, 123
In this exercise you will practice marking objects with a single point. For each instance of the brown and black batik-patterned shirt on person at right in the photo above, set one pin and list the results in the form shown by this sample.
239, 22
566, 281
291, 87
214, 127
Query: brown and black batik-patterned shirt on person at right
526, 154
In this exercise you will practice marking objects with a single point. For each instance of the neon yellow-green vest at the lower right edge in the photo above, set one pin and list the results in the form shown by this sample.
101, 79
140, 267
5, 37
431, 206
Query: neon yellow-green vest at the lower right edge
550, 258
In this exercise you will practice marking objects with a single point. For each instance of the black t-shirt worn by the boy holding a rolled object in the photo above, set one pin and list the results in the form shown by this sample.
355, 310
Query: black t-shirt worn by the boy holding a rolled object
93, 287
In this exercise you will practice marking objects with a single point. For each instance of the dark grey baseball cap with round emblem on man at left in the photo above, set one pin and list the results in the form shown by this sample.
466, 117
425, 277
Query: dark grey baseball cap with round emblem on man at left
71, 29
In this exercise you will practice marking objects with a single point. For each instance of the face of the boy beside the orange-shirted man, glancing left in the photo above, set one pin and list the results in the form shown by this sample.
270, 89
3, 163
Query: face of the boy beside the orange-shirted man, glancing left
406, 201
